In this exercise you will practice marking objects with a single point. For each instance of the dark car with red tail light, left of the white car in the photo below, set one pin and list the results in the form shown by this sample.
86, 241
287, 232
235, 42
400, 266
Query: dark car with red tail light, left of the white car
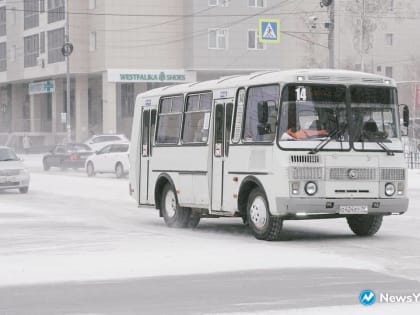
72, 155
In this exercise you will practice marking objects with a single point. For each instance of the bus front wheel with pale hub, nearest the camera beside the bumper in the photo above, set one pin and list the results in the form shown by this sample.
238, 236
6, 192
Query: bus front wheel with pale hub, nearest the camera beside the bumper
263, 225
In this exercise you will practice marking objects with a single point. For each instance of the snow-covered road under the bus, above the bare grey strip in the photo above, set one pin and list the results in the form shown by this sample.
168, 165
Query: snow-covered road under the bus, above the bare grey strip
73, 228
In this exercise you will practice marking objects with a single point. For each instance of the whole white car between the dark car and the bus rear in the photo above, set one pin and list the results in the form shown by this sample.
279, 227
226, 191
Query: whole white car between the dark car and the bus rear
111, 159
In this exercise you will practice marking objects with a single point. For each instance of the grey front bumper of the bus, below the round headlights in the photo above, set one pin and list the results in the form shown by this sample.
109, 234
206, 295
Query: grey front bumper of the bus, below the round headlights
318, 207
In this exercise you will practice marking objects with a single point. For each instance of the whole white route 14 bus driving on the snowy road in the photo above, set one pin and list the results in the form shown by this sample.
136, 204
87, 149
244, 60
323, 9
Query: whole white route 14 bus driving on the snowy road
271, 146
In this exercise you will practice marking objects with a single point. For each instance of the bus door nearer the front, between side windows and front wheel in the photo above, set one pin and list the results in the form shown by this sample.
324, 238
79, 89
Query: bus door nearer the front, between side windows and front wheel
221, 136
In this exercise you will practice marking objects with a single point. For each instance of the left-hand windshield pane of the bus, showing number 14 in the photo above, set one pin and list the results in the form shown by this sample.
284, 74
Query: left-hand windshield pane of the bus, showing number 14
312, 113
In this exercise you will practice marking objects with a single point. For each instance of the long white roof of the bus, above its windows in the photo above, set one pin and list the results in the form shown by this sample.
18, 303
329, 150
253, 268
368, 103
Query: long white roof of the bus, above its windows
328, 76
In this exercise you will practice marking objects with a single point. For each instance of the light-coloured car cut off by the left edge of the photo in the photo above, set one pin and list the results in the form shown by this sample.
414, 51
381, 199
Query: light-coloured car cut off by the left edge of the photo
13, 174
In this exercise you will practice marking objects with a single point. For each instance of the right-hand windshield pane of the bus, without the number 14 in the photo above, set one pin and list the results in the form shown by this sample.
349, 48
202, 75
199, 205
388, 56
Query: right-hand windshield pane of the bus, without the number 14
374, 115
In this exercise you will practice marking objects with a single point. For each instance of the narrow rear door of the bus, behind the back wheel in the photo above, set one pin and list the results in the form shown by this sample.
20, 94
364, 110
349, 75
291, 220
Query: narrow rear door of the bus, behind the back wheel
147, 139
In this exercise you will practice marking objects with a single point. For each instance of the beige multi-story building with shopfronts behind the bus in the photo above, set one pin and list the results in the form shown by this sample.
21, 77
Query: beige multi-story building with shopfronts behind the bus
124, 47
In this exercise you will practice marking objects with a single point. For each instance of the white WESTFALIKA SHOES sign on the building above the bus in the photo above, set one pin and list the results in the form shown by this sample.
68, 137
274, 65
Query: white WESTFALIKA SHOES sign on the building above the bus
168, 76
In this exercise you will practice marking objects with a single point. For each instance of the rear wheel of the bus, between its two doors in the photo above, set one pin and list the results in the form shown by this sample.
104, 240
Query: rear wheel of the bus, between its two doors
173, 214
